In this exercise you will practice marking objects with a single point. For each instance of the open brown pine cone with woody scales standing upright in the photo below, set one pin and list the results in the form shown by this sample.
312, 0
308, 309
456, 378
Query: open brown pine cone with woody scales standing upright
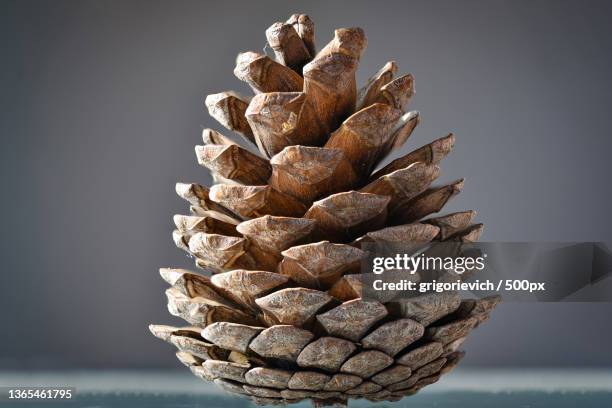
280, 317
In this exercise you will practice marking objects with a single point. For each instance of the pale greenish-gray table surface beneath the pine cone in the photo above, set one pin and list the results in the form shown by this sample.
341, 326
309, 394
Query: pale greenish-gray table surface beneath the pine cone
529, 388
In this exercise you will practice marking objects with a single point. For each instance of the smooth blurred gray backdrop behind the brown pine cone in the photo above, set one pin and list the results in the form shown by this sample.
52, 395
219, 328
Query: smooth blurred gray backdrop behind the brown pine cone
102, 103
